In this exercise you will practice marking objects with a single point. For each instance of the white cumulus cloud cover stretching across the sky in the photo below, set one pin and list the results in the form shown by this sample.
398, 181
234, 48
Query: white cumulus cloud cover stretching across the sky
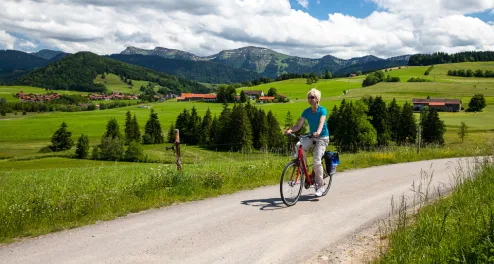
205, 27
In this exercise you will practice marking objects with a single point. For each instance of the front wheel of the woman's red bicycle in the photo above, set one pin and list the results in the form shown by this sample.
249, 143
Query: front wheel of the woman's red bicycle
291, 184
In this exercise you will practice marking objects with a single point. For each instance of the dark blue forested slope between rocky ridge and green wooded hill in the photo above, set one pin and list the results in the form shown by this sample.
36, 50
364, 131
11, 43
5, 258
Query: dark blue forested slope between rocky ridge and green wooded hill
201, 71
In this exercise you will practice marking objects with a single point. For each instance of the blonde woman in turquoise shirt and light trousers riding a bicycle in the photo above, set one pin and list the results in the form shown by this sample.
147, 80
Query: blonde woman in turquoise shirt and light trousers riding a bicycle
316, 117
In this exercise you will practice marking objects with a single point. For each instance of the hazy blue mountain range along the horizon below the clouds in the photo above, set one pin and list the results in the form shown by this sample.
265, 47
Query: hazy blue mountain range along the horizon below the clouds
228, 66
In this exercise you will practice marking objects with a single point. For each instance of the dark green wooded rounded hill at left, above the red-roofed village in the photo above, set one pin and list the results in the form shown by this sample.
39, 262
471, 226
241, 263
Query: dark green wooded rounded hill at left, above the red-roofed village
77, 72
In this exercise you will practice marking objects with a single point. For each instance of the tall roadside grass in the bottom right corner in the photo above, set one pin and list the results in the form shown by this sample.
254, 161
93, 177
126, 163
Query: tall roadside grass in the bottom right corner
458, 228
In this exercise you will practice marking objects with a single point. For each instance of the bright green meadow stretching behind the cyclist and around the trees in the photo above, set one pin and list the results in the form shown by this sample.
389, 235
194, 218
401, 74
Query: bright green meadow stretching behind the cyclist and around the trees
22, 137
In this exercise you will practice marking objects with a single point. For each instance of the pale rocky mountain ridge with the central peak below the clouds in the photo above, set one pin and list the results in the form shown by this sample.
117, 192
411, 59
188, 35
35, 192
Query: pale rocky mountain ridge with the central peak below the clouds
272, 64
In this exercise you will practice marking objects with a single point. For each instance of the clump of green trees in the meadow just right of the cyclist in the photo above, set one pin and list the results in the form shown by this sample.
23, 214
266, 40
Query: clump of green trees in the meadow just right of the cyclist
369, 123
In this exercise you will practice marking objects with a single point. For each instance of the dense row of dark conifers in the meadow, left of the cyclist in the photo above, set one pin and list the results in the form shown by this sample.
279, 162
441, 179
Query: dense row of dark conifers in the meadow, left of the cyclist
241, 128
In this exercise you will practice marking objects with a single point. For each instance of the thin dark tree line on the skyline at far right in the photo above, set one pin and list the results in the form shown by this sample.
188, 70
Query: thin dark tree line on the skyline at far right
442, 57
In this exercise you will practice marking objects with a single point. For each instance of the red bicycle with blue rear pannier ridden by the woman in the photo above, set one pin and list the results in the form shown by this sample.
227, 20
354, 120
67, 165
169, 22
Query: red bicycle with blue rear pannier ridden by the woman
294, 175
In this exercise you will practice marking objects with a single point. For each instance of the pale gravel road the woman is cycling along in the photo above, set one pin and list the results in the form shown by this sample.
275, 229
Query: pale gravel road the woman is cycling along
245, 227
